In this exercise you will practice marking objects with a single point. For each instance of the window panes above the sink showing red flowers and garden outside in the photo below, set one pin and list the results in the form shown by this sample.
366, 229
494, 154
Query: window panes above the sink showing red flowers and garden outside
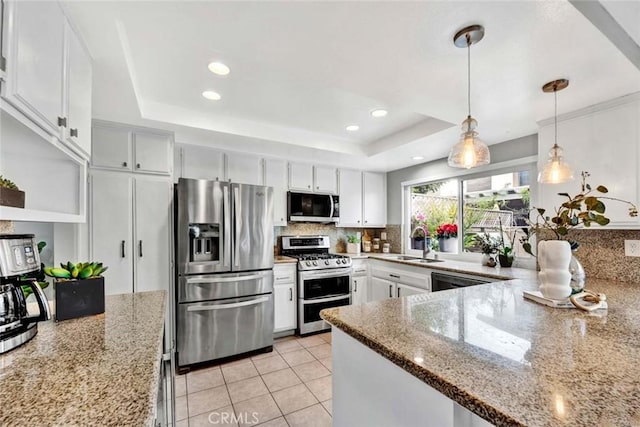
457, 210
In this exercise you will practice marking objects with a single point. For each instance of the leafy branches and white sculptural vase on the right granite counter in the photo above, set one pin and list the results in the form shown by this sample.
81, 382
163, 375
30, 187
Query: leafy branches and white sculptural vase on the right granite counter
582, 210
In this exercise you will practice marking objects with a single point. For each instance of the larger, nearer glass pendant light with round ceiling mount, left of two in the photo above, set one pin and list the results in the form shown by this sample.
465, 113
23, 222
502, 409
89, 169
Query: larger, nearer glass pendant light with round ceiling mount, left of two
470, 151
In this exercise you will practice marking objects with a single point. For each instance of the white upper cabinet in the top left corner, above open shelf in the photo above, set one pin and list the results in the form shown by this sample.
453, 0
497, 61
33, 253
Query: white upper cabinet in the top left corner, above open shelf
48, 72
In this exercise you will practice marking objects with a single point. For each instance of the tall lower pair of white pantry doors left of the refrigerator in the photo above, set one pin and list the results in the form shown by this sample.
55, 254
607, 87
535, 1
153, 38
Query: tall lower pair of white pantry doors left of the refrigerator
130, 217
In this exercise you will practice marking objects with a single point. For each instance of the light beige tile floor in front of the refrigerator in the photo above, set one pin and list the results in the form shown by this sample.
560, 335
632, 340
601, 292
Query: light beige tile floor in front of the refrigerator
289, 387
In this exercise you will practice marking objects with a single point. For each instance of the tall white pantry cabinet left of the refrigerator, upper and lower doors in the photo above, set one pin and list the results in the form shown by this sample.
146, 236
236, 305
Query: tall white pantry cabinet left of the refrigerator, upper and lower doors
130, 206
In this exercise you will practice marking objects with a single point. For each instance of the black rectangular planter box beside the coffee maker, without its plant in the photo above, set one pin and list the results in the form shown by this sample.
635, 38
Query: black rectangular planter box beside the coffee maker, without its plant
79, 298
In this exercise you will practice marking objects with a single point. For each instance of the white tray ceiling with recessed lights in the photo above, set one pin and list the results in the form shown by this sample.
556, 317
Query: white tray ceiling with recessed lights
302, 71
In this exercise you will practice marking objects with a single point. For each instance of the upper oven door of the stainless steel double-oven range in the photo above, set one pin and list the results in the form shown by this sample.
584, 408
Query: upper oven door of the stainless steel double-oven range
324, 283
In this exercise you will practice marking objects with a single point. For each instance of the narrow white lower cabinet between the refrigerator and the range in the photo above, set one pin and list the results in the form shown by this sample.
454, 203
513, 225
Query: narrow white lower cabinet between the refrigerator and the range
284, 297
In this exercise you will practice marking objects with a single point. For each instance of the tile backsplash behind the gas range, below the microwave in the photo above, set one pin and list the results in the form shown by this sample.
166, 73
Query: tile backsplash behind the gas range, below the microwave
337, 236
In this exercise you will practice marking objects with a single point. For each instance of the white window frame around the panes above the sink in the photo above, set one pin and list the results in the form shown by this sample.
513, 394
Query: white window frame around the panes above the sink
528, 163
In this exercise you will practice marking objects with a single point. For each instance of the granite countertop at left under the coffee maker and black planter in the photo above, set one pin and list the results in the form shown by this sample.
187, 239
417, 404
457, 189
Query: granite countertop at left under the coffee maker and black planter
97, 370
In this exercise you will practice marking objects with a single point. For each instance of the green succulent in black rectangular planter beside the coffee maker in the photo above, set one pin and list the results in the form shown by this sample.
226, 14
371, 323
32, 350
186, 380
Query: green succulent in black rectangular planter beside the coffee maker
79, 289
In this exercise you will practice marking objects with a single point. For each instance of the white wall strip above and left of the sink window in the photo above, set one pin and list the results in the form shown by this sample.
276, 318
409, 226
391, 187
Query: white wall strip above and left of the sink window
439, 169
